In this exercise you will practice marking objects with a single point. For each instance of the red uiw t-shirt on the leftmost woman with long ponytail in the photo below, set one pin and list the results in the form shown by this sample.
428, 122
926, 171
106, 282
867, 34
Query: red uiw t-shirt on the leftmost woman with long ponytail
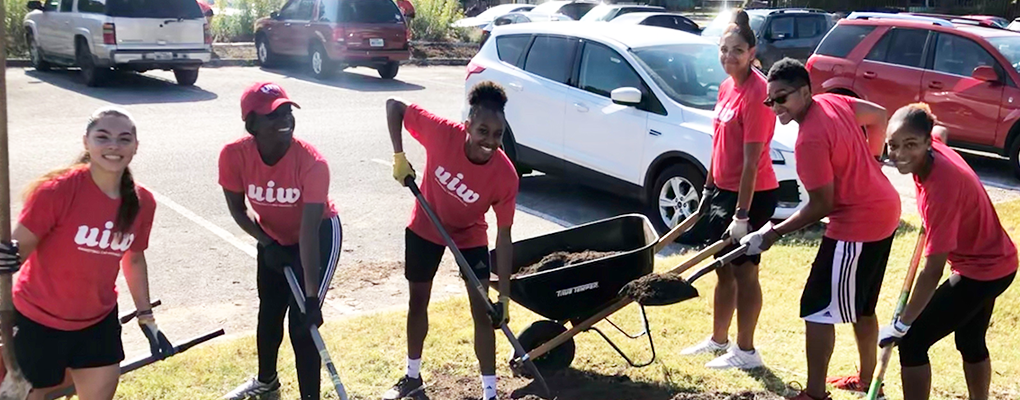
69, 283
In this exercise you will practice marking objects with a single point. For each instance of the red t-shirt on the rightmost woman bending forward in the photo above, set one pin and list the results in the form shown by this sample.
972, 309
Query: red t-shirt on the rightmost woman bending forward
960, 221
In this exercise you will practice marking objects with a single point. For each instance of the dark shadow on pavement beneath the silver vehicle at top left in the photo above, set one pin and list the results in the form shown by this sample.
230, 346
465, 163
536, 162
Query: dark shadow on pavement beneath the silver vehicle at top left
126, 88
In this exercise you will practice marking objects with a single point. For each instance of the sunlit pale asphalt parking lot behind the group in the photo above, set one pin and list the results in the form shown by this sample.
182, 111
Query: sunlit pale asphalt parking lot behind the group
201, 265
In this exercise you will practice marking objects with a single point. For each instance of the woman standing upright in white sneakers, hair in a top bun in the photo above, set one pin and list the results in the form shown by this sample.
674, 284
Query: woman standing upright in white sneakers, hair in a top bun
740, 195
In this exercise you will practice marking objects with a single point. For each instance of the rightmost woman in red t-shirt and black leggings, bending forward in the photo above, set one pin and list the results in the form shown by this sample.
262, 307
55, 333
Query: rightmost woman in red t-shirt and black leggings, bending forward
963, 229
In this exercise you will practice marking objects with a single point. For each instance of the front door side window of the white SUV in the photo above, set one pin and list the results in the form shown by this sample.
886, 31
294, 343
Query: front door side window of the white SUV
603, 70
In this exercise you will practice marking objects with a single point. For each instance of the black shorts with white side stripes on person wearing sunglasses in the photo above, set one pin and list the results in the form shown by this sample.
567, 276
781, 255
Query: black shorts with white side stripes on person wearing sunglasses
845, 281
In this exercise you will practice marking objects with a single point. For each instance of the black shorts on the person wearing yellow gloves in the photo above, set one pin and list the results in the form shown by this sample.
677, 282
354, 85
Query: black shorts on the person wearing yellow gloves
422, 259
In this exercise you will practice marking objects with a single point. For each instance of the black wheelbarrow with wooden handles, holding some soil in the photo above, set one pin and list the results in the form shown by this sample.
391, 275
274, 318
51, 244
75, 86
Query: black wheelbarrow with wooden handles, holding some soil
587, 293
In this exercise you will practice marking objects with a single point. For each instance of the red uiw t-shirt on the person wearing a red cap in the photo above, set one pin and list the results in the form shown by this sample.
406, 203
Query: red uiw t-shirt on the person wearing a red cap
278, 193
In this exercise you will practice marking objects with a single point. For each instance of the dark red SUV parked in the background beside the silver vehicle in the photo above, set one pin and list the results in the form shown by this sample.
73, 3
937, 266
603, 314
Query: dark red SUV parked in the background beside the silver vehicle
334, 35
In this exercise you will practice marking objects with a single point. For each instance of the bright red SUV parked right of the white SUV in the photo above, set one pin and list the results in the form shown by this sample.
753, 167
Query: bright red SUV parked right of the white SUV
967, 74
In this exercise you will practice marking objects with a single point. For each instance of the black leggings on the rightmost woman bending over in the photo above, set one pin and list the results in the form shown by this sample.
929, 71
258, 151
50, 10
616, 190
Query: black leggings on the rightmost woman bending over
964, 309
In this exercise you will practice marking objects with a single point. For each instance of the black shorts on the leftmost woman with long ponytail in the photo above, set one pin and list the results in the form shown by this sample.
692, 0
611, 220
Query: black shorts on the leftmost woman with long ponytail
44, 354
